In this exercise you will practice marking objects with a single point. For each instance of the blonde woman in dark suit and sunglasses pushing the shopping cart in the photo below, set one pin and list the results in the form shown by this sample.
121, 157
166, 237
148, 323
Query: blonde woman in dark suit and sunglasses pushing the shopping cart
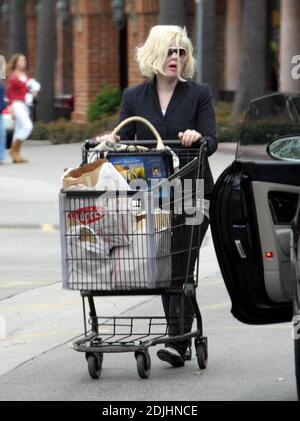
181, 109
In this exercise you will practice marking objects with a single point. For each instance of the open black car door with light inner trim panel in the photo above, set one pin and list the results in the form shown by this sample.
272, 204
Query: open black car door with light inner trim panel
244, 231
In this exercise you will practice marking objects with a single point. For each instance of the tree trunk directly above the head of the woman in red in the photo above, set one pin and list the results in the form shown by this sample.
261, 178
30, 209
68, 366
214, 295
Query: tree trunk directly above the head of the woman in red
17, 27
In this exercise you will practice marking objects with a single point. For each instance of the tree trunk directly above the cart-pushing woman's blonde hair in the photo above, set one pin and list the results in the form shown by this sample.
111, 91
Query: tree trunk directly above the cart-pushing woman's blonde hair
173, 12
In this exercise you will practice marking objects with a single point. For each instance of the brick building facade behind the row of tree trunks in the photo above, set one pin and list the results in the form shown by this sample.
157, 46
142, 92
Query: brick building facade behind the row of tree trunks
96, 42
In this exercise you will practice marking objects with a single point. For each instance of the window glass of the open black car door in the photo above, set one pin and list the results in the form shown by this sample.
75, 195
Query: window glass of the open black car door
267, 119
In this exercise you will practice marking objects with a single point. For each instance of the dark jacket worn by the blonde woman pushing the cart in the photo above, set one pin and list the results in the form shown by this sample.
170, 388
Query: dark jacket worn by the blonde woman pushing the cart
190, 108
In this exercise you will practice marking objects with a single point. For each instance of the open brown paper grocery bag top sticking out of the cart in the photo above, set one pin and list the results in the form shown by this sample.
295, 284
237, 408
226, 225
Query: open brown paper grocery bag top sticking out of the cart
86, 175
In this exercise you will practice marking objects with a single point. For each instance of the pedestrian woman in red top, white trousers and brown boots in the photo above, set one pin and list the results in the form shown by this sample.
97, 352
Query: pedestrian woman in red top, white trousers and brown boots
19, 91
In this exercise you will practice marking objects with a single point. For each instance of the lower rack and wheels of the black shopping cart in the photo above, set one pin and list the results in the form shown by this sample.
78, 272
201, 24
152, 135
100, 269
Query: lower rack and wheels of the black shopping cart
131, 334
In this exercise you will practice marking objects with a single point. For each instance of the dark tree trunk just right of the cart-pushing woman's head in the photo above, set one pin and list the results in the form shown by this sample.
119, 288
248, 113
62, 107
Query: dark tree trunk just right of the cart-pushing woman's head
206, 44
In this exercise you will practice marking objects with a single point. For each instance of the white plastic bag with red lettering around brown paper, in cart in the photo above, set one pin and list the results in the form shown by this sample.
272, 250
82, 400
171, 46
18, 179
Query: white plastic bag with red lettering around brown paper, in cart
105, 215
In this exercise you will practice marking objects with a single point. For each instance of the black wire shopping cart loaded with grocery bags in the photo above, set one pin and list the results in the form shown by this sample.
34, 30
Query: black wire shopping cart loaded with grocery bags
140, 258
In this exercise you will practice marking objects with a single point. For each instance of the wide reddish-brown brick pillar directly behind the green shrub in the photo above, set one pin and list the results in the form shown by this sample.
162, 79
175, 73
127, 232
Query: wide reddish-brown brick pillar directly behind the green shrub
95, 52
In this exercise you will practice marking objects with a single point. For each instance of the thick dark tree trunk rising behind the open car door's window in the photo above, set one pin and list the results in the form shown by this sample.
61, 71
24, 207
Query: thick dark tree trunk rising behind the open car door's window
252, 75
